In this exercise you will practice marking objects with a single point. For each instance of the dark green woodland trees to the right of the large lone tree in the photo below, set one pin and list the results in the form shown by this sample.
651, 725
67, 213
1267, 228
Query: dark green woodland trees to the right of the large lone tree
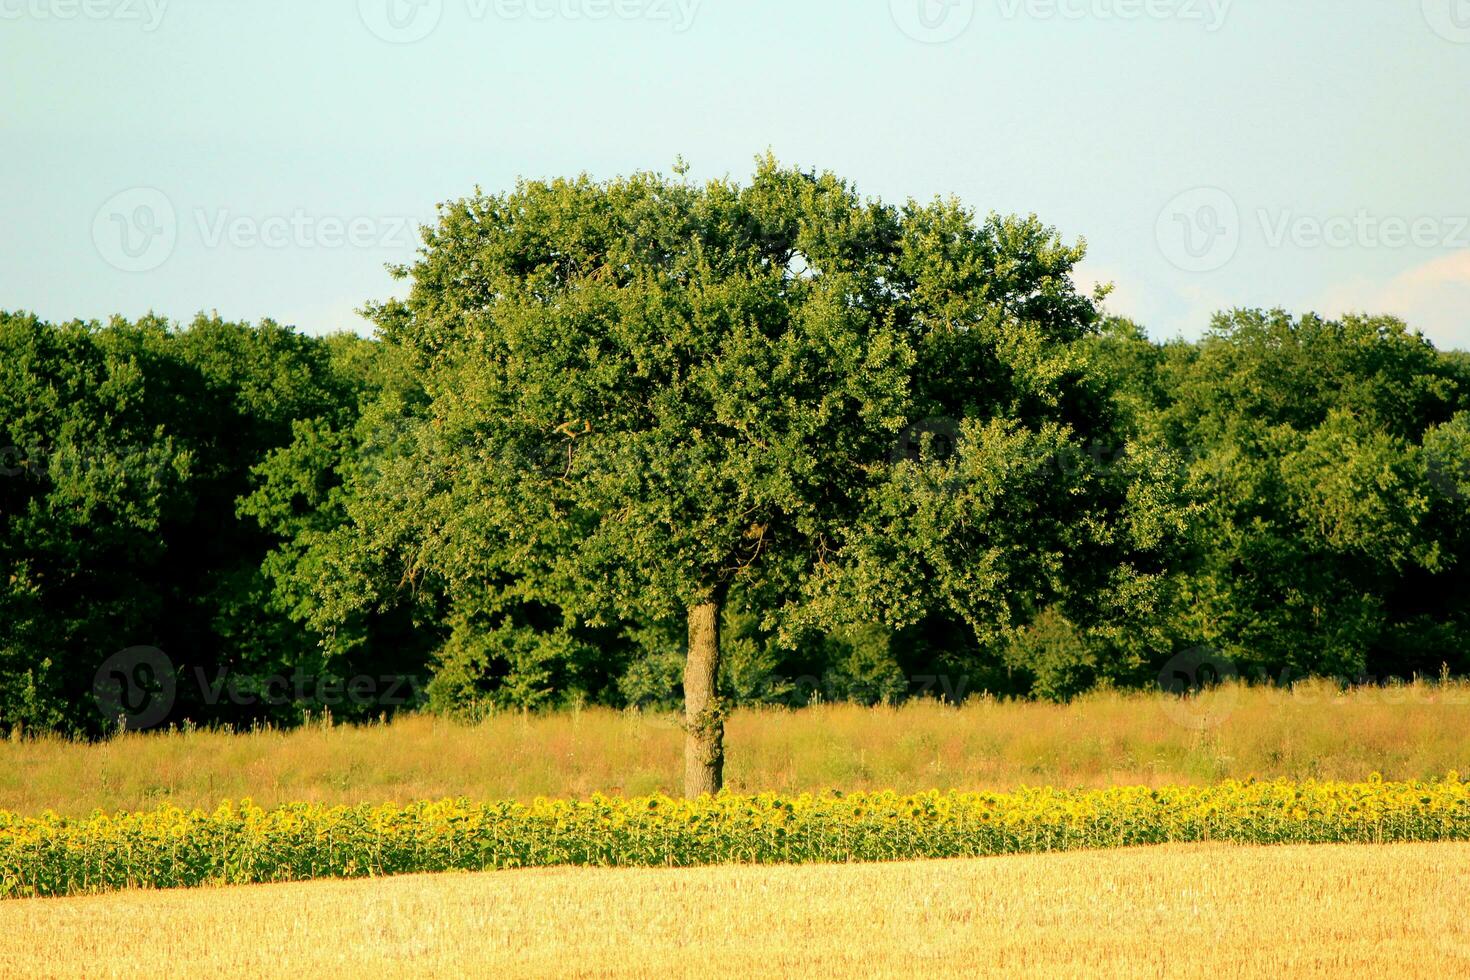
1327, 464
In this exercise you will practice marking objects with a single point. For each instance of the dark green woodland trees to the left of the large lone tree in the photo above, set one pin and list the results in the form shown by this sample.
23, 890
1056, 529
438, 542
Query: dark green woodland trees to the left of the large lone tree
126, 450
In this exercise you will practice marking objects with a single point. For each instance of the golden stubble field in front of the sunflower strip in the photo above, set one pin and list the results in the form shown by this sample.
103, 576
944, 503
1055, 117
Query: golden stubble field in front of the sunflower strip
1203, 912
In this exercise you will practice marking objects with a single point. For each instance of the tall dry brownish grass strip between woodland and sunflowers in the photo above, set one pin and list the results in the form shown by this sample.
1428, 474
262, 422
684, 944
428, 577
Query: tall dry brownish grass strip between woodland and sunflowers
1413, 732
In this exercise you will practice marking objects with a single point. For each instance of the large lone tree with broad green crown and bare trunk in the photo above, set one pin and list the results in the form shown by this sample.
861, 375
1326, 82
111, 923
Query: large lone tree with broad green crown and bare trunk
646, 393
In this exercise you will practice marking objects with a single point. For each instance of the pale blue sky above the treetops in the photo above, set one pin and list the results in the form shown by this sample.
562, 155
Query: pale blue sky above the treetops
271, 158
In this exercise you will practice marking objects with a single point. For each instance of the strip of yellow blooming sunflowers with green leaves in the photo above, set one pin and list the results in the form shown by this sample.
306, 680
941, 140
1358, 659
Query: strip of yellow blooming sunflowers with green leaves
240, 844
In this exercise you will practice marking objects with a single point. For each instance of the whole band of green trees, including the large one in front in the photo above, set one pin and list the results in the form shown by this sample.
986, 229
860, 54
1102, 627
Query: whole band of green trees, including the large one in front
655, 443
